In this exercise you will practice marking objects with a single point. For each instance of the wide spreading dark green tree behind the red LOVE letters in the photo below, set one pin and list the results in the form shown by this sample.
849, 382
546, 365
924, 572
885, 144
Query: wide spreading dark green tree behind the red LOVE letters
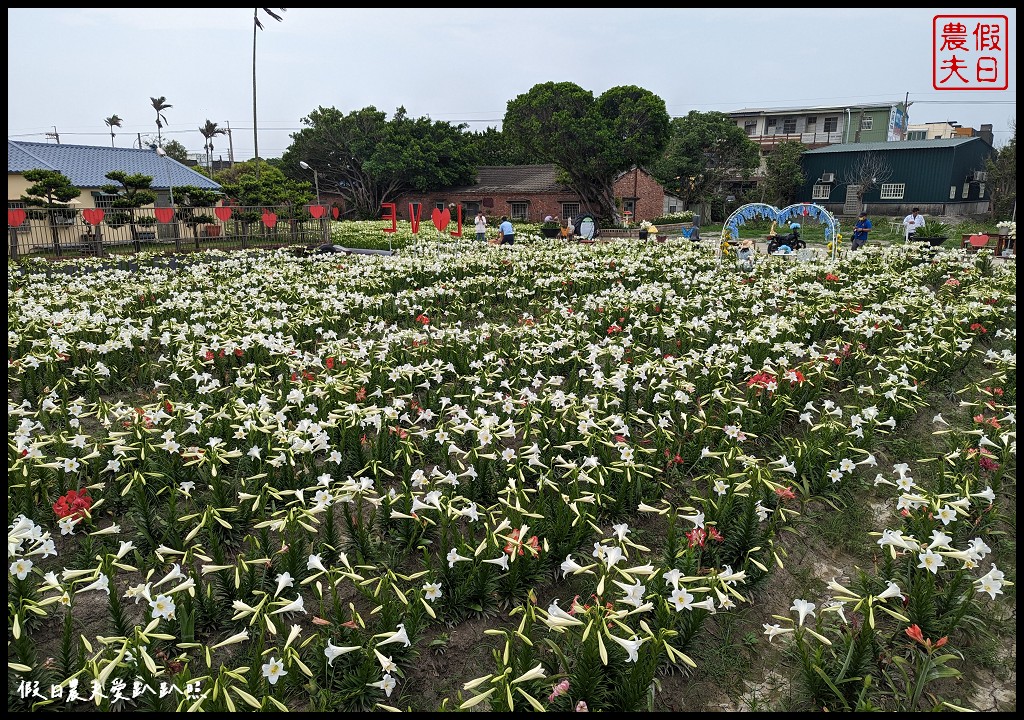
370, 160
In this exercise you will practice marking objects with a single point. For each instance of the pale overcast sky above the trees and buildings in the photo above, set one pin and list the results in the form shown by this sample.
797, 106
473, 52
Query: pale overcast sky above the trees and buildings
70, 69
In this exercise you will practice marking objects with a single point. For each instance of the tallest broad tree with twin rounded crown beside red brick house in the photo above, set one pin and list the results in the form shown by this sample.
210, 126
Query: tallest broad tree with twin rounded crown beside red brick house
592, 141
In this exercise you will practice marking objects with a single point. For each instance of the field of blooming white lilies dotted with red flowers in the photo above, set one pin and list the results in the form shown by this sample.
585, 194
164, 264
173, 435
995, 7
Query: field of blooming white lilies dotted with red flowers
264, 481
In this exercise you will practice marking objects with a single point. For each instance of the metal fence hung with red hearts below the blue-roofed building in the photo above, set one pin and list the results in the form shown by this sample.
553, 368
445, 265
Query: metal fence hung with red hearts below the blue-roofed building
72, 233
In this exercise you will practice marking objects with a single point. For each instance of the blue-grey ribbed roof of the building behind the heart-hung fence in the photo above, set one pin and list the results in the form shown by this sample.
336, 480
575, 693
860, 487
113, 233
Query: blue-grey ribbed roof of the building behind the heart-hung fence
87, 166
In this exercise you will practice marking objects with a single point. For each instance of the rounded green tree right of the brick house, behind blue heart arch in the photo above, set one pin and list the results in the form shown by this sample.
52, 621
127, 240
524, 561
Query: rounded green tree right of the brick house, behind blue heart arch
706, 151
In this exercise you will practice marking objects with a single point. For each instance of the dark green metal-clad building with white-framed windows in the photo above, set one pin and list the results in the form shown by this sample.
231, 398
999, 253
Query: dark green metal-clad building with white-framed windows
945, 178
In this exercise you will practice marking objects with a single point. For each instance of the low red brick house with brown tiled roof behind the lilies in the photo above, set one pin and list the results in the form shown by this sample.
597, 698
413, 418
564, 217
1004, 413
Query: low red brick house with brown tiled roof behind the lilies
531, 193
